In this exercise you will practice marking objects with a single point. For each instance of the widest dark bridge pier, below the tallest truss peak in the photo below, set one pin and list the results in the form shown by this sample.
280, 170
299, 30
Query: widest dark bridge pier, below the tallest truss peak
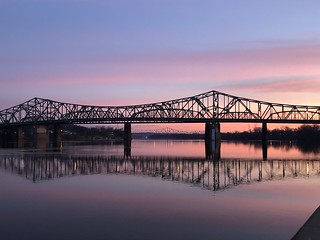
212, 140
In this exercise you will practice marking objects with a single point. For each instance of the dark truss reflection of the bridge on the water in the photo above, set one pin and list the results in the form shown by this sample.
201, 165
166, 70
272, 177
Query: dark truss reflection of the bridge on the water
207, 174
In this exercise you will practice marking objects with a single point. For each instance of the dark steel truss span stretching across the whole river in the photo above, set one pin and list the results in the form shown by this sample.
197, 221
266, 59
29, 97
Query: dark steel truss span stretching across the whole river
212, 106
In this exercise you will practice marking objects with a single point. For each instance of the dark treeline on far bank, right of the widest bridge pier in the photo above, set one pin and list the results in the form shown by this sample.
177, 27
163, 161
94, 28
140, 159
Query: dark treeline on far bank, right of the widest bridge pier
304, 133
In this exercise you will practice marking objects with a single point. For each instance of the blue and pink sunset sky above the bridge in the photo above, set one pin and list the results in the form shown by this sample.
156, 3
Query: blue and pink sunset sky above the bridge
121, 52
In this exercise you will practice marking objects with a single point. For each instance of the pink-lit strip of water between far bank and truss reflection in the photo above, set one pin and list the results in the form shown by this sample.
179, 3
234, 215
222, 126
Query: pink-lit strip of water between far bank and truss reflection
189, 148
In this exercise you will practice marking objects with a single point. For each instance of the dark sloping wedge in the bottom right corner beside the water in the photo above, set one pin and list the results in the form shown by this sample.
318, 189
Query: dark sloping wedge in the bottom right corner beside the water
311, 229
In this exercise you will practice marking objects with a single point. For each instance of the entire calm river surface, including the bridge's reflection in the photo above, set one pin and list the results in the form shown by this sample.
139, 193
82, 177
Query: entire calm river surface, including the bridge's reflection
165, 190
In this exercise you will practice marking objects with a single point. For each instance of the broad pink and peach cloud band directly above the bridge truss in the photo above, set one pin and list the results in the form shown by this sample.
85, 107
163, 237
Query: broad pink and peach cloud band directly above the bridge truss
149, 78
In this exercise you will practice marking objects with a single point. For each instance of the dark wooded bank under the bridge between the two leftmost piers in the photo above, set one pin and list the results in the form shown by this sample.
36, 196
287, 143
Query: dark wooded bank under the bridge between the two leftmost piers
76, 132
